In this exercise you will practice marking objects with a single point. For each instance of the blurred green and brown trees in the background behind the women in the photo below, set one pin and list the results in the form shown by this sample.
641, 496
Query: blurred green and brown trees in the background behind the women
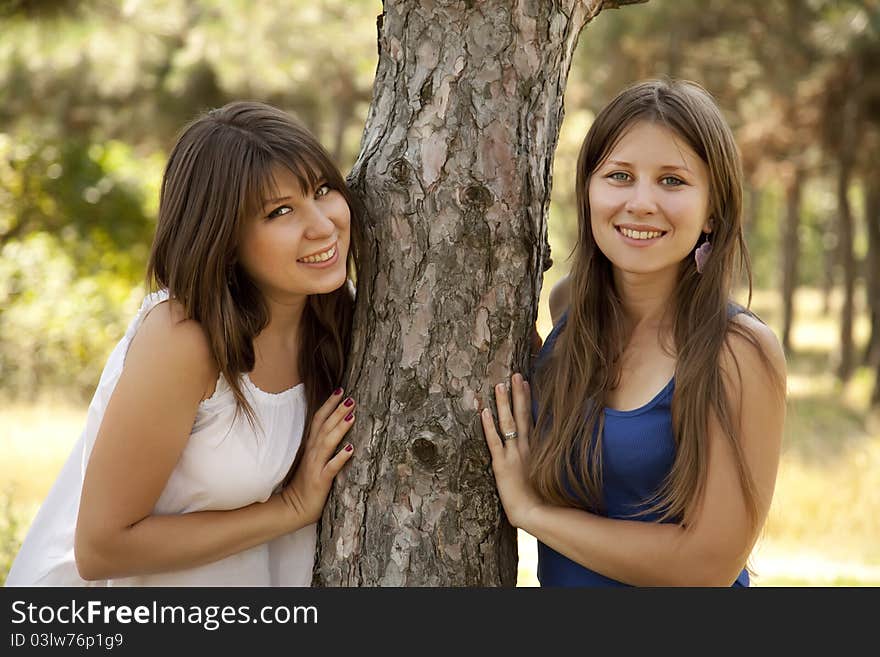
93, 93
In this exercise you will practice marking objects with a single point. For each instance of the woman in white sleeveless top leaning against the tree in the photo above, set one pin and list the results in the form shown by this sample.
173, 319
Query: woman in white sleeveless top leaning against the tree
214, 434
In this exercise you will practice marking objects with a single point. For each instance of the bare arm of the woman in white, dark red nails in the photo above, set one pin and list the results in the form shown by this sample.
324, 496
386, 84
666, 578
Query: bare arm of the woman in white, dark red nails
168, 371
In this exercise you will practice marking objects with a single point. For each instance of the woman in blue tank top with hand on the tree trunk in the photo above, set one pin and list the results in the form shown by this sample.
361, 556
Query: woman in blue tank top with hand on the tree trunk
658, 402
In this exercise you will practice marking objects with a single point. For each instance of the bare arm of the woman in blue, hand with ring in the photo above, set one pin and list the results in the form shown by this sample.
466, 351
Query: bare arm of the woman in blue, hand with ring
714, 549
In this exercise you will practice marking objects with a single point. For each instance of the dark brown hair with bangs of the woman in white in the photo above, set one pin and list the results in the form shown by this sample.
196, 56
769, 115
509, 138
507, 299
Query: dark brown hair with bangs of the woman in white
217, 175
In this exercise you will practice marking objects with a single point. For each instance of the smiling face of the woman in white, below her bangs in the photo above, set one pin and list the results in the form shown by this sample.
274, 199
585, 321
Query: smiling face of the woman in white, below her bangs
298, 244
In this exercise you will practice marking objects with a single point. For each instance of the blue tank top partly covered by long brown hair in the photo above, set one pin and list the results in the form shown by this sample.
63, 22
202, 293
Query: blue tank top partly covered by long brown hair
638, 449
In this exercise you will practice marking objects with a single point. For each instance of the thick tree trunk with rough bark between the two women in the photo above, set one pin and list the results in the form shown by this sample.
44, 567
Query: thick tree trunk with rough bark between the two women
454, 172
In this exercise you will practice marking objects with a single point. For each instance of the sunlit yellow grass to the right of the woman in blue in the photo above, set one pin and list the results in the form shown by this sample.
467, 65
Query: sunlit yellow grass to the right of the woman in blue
824, 525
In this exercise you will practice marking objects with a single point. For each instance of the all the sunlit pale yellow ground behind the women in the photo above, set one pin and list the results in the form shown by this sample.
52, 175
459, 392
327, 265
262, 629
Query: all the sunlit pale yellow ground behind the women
824, 525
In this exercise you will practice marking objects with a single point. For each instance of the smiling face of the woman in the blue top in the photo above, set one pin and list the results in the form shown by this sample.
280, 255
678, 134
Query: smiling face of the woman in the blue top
649, 200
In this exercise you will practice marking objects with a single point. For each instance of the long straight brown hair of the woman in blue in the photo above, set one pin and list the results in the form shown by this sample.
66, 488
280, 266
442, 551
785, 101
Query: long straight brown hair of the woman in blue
573, 382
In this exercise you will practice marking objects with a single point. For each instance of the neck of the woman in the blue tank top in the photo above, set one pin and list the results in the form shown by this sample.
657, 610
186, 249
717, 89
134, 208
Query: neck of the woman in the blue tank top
646, 298
